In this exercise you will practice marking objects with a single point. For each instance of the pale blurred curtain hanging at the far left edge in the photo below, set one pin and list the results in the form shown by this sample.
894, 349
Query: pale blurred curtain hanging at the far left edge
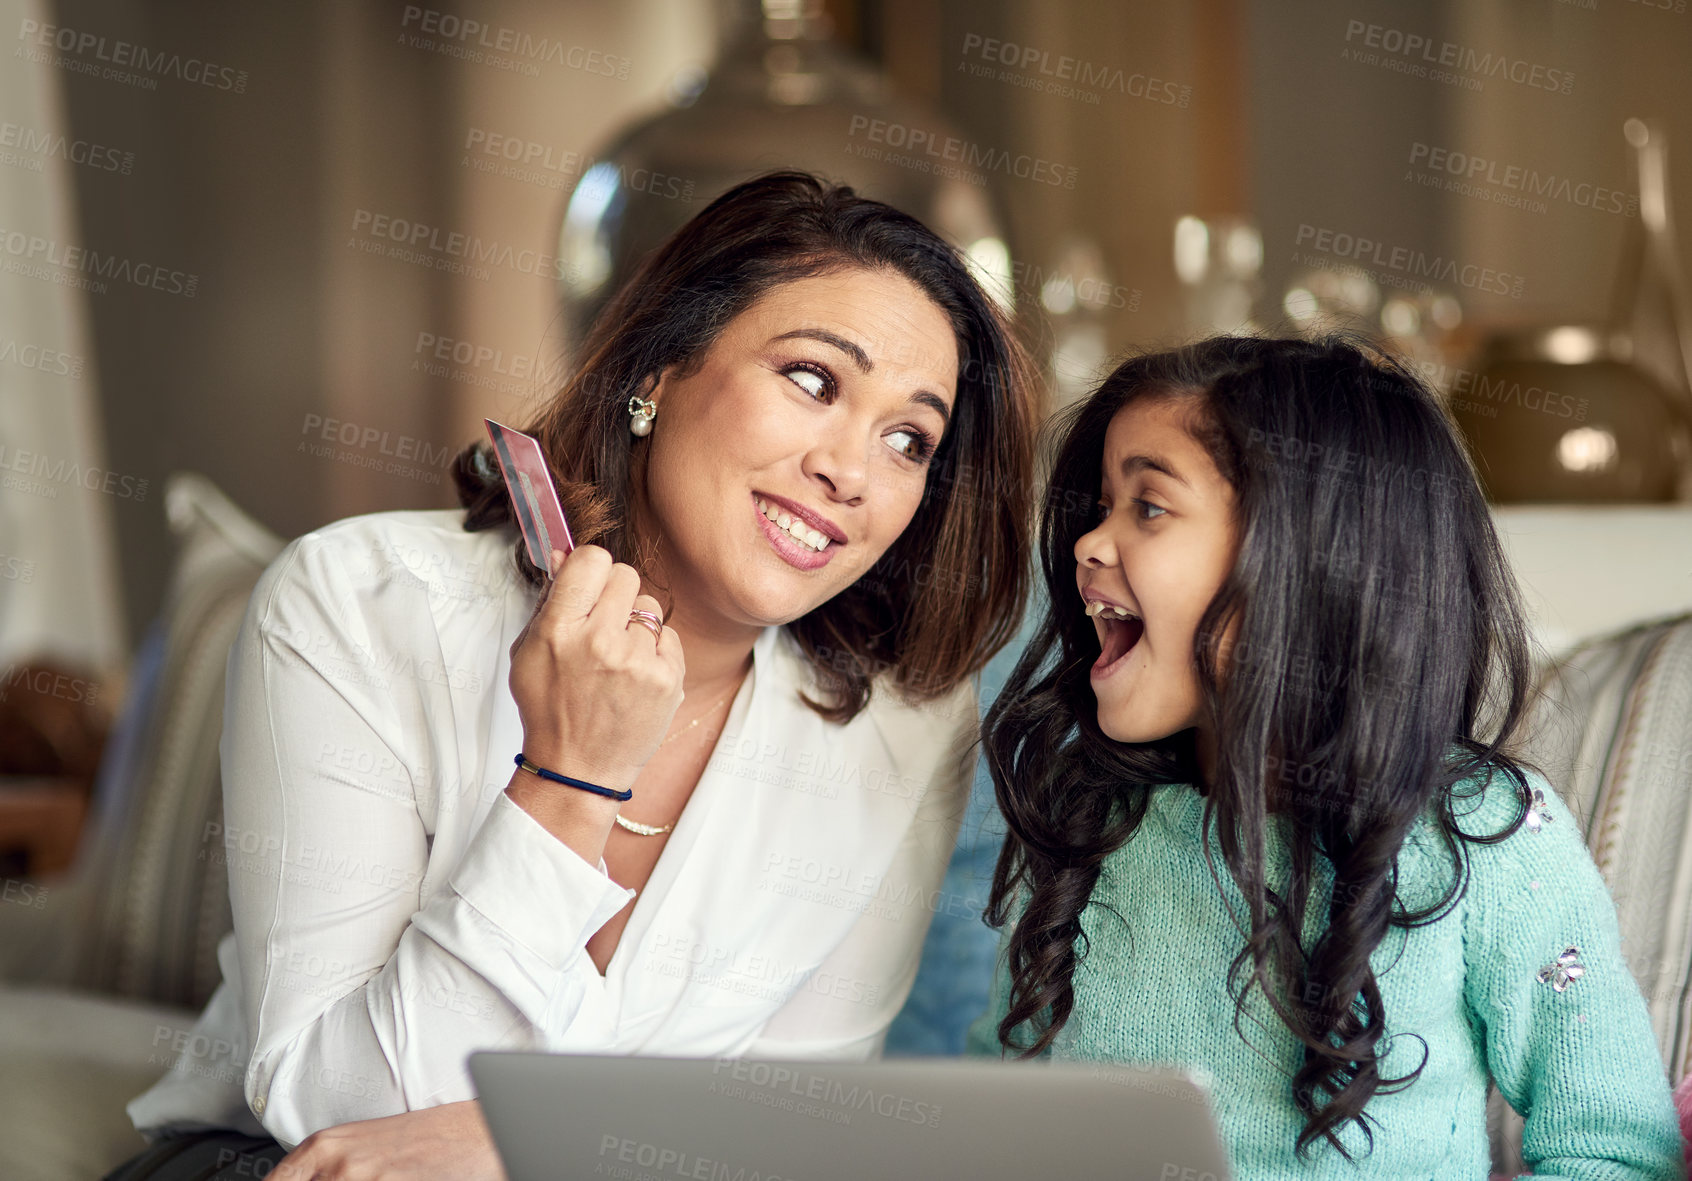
58, 566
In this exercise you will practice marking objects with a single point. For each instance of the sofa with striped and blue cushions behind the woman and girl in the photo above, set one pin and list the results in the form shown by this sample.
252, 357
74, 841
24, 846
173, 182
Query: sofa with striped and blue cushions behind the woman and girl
99, 986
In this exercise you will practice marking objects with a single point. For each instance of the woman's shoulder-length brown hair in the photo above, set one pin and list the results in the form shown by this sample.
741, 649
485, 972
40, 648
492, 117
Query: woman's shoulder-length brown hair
950, 591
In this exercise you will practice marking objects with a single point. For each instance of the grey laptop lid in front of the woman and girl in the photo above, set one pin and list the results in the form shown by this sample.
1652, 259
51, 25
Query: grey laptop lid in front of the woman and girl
558, 1118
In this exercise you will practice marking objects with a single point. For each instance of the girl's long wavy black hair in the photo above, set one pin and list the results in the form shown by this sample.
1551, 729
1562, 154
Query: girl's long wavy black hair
1382, 659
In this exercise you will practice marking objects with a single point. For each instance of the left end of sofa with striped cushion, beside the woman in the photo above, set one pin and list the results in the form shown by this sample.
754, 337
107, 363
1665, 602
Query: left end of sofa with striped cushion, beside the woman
101, 982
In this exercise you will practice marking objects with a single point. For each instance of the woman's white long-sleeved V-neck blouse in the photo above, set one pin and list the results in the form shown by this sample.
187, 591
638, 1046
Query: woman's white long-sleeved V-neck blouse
397, 911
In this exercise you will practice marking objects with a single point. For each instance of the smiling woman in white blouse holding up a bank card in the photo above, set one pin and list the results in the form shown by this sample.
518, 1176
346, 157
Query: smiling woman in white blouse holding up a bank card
774, 459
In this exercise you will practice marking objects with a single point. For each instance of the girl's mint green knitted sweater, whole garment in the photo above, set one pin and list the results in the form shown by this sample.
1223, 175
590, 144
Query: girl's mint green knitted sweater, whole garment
1581, 1065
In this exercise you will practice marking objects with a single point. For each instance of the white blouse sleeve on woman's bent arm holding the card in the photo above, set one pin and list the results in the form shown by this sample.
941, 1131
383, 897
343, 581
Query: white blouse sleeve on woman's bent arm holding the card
363, 996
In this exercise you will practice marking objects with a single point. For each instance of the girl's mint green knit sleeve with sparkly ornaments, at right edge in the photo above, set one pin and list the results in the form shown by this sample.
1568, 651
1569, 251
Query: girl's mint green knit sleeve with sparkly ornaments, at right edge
1579, 1063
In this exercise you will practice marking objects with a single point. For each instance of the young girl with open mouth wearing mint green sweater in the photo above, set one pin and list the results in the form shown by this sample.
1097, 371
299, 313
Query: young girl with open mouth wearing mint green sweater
1263, 818
